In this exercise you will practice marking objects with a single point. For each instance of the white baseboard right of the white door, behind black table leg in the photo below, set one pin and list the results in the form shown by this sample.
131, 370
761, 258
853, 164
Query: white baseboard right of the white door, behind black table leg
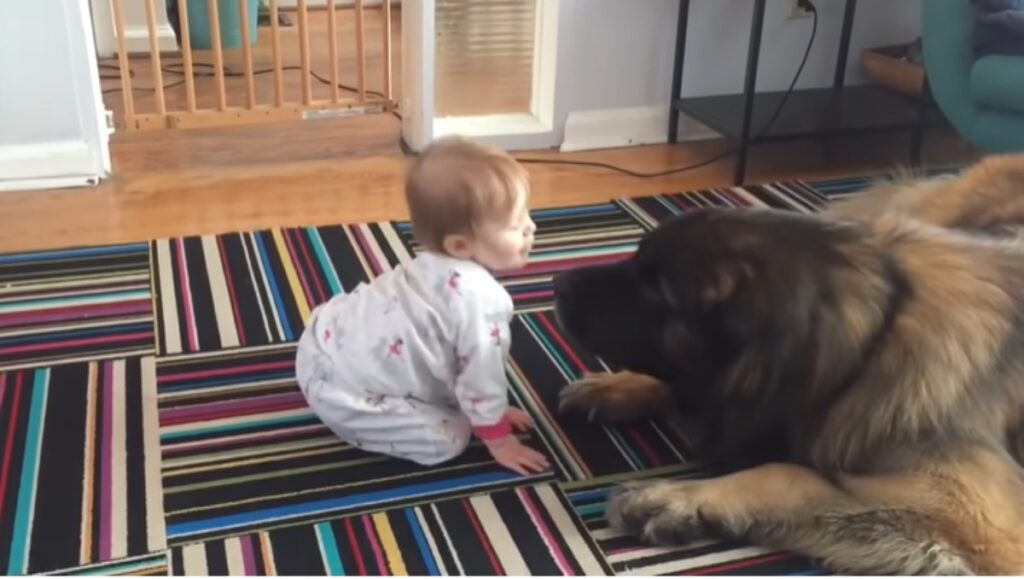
610, 129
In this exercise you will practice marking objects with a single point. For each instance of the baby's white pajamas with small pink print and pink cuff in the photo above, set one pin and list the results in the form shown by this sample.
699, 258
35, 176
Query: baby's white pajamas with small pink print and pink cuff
413, 364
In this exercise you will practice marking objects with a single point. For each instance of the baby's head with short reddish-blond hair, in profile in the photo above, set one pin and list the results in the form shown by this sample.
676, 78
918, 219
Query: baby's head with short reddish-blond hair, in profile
472, 202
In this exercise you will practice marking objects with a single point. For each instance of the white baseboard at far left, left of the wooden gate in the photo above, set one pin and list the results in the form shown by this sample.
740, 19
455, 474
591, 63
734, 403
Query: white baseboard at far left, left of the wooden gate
50, 166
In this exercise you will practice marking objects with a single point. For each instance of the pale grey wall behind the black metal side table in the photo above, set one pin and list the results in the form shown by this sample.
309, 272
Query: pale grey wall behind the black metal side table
619, 55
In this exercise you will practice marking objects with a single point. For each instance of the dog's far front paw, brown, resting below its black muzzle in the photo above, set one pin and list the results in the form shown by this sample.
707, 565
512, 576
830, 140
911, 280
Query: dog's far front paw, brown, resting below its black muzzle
620, 397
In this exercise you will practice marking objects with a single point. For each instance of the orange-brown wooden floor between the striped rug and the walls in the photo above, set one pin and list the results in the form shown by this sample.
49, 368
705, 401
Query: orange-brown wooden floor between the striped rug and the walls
344, 171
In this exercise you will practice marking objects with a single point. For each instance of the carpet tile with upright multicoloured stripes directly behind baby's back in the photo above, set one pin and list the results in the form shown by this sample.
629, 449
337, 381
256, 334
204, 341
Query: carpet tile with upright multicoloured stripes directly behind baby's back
222, 293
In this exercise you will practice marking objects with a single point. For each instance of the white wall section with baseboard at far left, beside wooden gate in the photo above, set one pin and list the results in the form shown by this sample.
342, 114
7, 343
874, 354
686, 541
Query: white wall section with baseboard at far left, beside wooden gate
53, 128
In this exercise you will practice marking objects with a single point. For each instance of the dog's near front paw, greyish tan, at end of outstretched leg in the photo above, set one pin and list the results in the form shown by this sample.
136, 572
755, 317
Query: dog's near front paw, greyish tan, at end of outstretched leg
662, 513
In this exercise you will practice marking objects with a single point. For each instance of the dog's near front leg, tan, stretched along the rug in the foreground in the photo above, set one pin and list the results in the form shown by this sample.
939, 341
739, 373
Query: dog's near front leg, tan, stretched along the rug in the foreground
923, 523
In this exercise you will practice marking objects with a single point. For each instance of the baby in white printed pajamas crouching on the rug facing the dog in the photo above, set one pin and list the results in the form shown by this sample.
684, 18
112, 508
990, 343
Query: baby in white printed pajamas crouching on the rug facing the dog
413, 364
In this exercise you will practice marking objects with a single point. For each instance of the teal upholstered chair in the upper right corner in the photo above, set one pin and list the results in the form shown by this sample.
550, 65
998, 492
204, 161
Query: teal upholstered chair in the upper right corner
984, 99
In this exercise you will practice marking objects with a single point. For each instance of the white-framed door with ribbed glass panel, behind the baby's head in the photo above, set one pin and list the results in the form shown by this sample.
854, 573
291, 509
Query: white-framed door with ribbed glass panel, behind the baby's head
480, 68
